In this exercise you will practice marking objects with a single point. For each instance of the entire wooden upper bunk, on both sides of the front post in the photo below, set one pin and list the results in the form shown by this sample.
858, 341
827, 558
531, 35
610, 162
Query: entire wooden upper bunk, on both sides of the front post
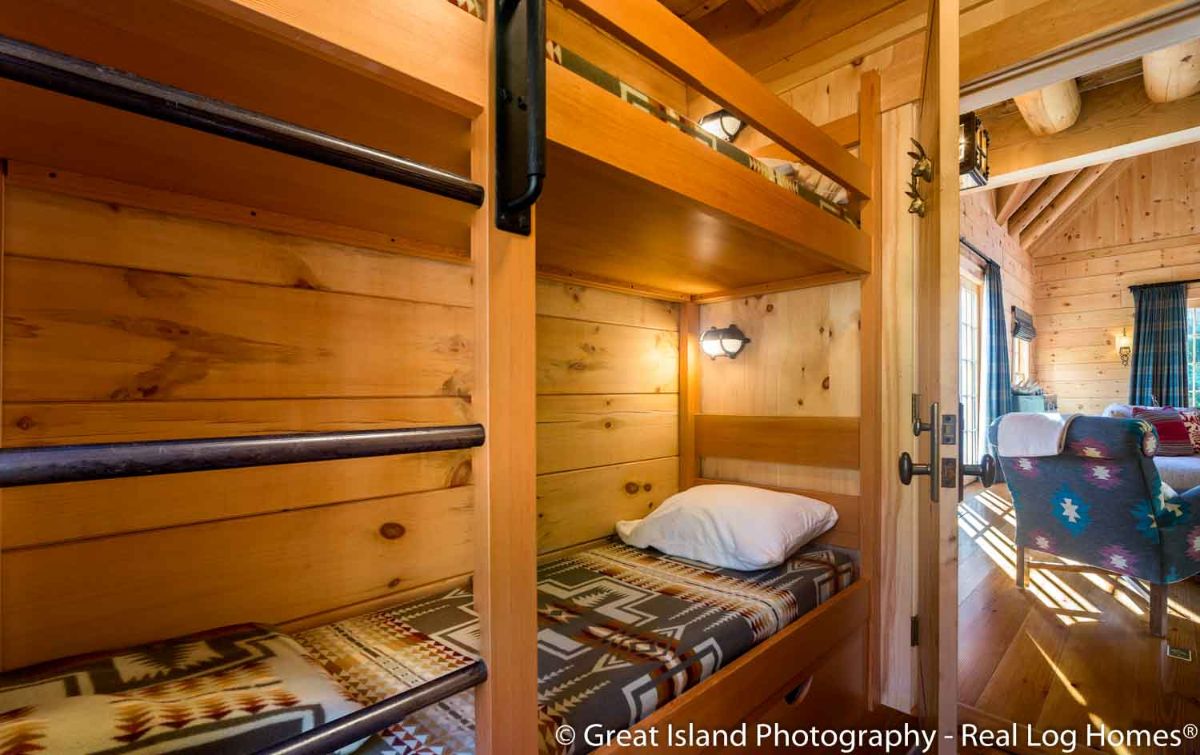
633, 200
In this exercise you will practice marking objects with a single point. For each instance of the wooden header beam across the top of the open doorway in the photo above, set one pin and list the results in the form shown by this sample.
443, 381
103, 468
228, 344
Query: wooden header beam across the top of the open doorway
1055, 41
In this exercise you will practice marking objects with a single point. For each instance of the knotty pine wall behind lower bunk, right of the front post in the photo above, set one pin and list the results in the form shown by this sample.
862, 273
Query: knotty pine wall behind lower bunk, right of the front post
608, 411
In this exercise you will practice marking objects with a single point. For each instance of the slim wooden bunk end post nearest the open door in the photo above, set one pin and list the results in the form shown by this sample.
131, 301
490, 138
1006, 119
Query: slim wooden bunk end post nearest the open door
872, 344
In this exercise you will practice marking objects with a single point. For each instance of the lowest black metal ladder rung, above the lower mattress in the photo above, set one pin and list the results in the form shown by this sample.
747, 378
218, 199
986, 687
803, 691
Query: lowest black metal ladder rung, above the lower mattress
381, 716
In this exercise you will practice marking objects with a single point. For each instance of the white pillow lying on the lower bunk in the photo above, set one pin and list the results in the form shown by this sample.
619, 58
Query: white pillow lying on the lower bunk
731, 526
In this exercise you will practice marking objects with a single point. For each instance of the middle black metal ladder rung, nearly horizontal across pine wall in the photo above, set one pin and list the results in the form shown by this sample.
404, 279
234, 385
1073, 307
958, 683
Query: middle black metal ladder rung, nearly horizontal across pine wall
100, 462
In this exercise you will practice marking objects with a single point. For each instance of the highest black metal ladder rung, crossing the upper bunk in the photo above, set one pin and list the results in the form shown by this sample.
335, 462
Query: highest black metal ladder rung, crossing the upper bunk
45, 69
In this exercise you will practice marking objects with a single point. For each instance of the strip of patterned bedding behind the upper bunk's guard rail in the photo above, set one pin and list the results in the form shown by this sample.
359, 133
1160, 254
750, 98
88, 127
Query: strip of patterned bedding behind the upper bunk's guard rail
820, 190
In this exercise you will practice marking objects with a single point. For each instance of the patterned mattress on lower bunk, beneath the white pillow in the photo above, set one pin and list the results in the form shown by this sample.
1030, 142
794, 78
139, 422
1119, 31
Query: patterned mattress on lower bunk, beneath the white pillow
621, 633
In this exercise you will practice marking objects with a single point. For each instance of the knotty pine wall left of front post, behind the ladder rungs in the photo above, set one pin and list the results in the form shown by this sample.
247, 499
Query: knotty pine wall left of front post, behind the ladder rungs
124, 322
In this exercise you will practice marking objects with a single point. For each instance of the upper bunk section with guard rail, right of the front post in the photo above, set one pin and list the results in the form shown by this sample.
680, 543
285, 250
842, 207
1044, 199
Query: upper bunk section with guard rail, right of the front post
637, 196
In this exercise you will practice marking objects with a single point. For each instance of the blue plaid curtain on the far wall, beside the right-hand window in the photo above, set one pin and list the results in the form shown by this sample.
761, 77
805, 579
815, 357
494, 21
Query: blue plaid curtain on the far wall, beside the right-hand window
1160, 371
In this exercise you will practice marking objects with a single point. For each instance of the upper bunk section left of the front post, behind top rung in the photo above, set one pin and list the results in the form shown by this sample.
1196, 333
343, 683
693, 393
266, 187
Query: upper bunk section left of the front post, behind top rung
406, 79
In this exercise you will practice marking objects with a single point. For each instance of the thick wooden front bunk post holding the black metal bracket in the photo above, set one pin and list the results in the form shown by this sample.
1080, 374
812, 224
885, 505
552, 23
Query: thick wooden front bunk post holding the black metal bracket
505, 470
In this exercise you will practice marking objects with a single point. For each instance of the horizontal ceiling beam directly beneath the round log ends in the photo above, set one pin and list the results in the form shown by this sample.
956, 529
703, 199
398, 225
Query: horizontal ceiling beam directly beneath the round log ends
1118, 122
